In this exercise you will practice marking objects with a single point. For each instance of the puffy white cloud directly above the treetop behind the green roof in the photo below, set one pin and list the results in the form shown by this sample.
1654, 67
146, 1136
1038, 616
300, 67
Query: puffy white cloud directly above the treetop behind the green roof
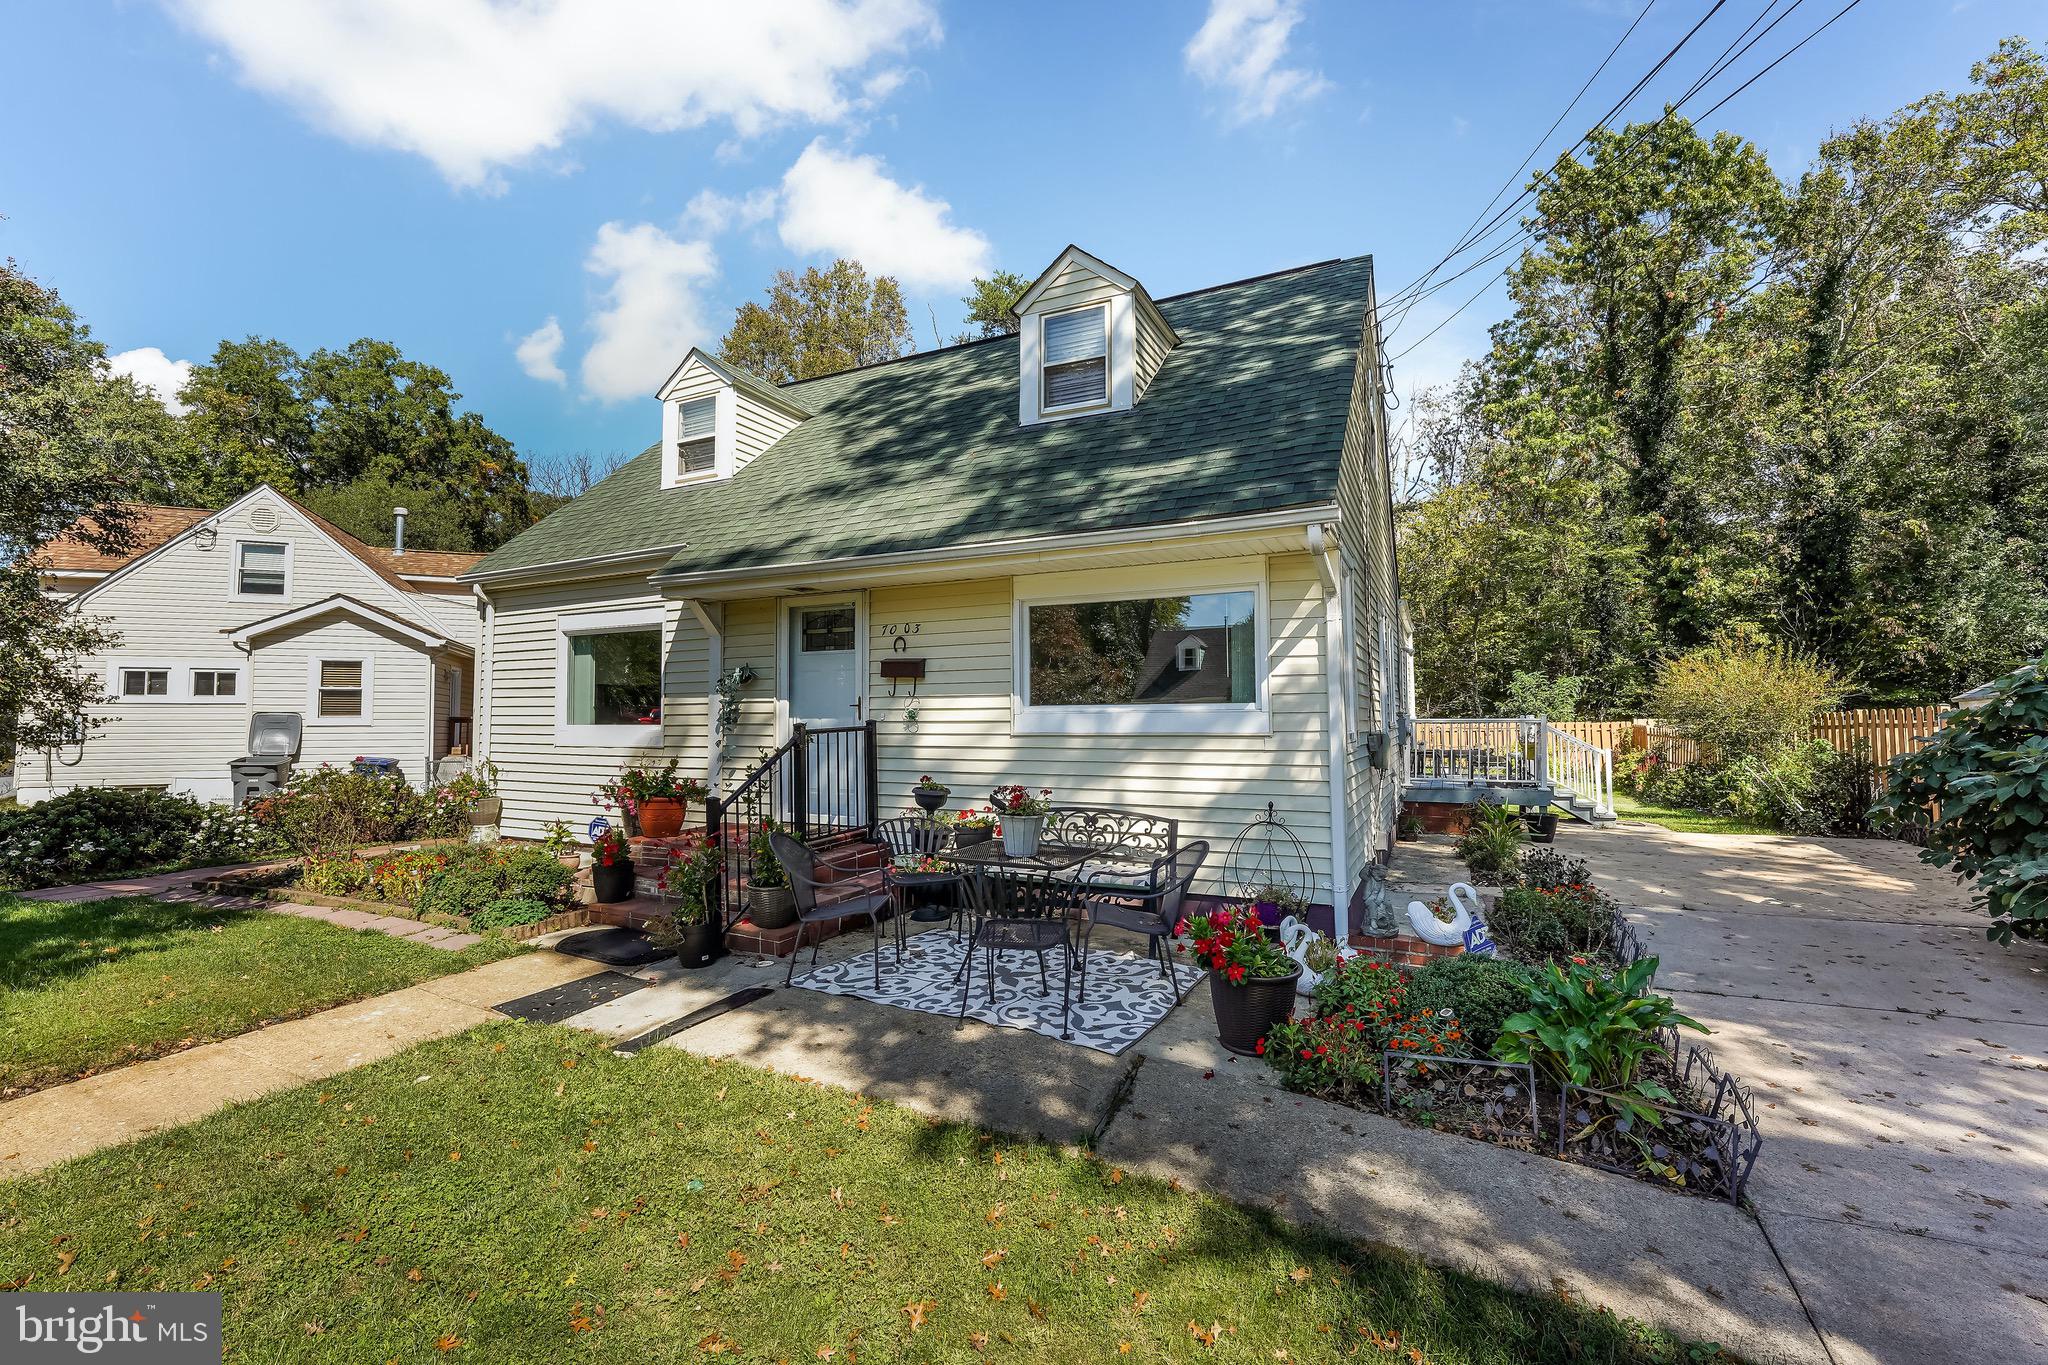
839, 204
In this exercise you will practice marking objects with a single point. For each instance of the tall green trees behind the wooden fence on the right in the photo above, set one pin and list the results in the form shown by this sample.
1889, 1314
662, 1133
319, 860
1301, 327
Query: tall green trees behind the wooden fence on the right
1732, 406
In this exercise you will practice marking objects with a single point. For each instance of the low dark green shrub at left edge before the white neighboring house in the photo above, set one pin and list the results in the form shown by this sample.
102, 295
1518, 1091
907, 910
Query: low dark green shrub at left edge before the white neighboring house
114, 832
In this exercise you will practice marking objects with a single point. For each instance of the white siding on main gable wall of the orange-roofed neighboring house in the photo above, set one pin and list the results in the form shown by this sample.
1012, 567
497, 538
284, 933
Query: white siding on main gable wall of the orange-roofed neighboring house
177, 605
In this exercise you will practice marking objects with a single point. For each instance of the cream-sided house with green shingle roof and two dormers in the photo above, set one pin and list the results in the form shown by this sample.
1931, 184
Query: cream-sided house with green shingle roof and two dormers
1140, 554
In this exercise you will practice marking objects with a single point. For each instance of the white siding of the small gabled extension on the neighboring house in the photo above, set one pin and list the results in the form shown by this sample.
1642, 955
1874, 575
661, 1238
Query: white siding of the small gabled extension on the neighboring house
398, 693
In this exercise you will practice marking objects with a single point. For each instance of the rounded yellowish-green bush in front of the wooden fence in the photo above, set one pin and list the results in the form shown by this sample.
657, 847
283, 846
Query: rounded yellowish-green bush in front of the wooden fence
1742, 701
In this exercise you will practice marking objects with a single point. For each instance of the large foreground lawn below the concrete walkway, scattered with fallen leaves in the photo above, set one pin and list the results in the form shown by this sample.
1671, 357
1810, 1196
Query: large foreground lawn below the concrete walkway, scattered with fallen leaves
521, 1194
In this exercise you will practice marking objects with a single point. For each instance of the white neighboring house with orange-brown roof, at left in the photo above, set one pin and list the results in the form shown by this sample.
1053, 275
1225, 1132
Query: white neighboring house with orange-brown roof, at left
261, 607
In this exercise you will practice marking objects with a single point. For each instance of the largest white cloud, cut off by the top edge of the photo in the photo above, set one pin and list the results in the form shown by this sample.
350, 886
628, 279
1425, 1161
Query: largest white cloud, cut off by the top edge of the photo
478, 87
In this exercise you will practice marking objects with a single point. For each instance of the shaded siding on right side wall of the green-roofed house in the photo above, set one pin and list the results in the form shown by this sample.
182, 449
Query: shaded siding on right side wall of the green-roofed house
1377, 682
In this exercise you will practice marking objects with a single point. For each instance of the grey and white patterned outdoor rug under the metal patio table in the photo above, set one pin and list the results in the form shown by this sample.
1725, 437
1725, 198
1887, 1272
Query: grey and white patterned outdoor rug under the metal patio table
1125, 992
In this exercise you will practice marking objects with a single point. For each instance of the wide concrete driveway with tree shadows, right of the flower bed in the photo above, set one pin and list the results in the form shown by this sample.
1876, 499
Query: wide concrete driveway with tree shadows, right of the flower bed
1904, 1071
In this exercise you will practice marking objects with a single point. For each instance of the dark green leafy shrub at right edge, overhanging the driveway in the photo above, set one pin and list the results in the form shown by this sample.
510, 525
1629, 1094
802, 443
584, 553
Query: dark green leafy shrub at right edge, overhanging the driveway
1979, 797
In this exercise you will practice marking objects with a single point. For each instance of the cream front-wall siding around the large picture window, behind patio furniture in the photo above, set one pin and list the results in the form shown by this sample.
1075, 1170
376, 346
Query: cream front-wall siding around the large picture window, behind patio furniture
1213, 783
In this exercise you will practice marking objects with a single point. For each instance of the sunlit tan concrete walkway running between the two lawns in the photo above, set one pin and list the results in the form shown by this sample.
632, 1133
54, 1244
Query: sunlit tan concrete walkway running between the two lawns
120, 1106
